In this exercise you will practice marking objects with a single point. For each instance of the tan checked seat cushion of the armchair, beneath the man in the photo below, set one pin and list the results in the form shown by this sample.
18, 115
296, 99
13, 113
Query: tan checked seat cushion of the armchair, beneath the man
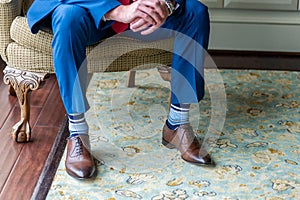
113, 54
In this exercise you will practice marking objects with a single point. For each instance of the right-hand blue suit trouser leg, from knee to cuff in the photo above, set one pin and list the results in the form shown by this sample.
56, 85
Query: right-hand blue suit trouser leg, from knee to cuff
191, 31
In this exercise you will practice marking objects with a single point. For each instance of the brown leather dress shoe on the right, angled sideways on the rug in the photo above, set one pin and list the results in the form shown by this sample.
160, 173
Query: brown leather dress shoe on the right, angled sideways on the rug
184, 139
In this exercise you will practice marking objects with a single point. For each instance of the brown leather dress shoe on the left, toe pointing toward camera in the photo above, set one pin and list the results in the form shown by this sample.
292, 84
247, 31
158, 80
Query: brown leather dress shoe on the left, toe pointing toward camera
79, 161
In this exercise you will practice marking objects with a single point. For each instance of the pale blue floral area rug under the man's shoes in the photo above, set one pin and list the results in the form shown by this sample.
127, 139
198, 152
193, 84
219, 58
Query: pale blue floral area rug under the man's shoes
252, 132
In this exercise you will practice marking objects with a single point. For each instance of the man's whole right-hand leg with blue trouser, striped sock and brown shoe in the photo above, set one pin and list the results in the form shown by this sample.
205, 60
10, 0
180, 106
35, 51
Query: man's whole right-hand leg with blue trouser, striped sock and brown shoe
191, 31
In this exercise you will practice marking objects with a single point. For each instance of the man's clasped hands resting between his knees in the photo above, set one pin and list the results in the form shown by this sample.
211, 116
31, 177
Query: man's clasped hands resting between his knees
143, 15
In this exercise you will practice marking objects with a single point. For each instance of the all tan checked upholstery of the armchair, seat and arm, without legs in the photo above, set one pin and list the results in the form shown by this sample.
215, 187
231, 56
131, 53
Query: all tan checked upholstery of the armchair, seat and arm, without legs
21, 49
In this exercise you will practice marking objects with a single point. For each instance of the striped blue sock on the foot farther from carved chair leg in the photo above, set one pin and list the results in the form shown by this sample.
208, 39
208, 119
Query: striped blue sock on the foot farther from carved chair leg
179, 114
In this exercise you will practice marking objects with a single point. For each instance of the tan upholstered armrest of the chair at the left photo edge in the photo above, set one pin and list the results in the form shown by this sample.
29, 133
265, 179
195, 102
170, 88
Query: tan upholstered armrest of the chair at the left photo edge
9, 9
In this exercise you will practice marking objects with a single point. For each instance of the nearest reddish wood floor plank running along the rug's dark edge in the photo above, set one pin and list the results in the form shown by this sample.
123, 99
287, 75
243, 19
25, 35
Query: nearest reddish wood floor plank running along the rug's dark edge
29, 165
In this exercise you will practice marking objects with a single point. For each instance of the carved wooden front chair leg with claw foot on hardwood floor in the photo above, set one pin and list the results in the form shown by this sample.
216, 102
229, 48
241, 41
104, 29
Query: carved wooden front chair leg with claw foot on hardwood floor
22, 83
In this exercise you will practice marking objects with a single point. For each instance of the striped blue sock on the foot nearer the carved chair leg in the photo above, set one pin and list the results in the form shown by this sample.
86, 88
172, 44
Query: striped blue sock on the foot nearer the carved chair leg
77, 124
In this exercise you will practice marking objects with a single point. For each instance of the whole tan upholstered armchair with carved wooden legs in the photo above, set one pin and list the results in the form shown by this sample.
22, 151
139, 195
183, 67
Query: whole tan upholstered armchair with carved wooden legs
29, 59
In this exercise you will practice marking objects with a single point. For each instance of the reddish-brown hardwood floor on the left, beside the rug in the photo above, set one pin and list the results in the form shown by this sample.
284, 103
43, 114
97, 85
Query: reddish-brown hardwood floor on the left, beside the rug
27, 169
